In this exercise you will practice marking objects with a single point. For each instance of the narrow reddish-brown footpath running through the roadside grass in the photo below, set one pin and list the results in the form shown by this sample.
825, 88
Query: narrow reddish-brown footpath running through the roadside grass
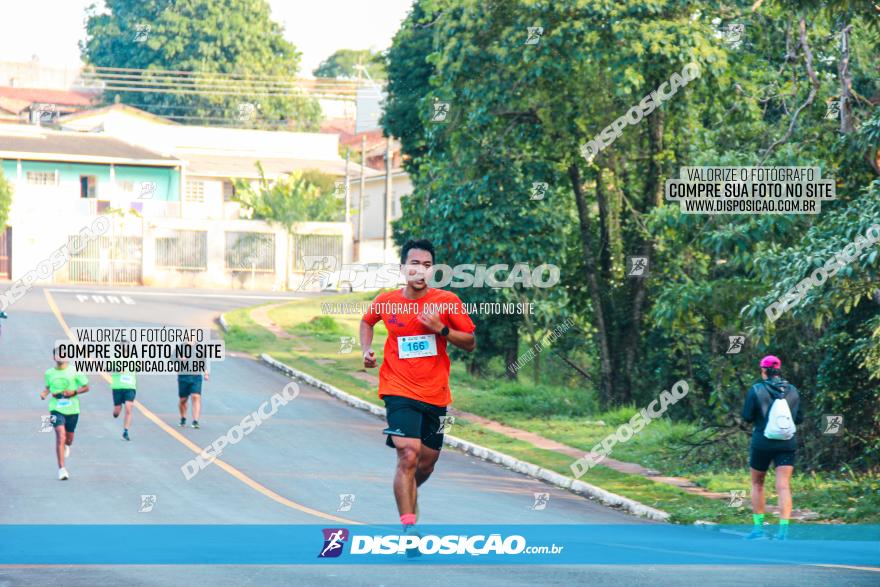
261, 316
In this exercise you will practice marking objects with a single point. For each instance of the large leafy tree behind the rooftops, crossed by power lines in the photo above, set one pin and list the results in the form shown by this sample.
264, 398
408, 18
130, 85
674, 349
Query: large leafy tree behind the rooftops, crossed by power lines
207, 41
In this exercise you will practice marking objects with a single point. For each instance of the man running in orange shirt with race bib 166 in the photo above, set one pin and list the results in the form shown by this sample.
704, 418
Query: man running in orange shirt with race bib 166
414, 378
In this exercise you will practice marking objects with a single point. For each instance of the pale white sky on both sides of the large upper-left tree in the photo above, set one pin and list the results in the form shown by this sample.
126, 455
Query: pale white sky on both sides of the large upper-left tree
316, 27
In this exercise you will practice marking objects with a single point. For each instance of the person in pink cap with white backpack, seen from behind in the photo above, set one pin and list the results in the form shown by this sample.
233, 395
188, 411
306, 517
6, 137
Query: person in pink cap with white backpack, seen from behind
776, 443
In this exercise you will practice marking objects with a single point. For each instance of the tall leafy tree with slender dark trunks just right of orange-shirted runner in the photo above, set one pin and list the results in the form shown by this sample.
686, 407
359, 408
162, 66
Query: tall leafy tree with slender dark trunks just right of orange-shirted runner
519, 114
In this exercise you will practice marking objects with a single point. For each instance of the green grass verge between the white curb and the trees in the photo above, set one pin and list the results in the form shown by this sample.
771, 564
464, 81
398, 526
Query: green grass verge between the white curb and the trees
566, 414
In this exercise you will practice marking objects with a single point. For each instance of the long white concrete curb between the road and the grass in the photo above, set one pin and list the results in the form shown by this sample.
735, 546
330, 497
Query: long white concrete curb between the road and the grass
488, 454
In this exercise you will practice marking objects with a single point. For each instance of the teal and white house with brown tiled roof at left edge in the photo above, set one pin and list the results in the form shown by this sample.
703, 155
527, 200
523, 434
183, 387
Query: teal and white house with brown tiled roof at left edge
62, 181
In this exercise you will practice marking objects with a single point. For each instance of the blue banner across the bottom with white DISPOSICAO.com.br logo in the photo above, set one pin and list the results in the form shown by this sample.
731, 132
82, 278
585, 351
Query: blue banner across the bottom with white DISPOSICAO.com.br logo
437, 544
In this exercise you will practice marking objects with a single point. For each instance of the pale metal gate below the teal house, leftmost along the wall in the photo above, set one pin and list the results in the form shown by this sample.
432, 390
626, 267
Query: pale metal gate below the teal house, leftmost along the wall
105, 259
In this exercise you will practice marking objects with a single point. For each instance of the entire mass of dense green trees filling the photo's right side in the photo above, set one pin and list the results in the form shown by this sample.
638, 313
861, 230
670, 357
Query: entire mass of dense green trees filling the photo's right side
520, 112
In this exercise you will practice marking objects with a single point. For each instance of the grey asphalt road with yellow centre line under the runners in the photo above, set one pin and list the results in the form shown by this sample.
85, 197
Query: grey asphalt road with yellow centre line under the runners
290, 470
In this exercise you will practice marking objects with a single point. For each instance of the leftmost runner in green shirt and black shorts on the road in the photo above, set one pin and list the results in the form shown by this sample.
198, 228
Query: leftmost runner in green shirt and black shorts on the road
63, 385
